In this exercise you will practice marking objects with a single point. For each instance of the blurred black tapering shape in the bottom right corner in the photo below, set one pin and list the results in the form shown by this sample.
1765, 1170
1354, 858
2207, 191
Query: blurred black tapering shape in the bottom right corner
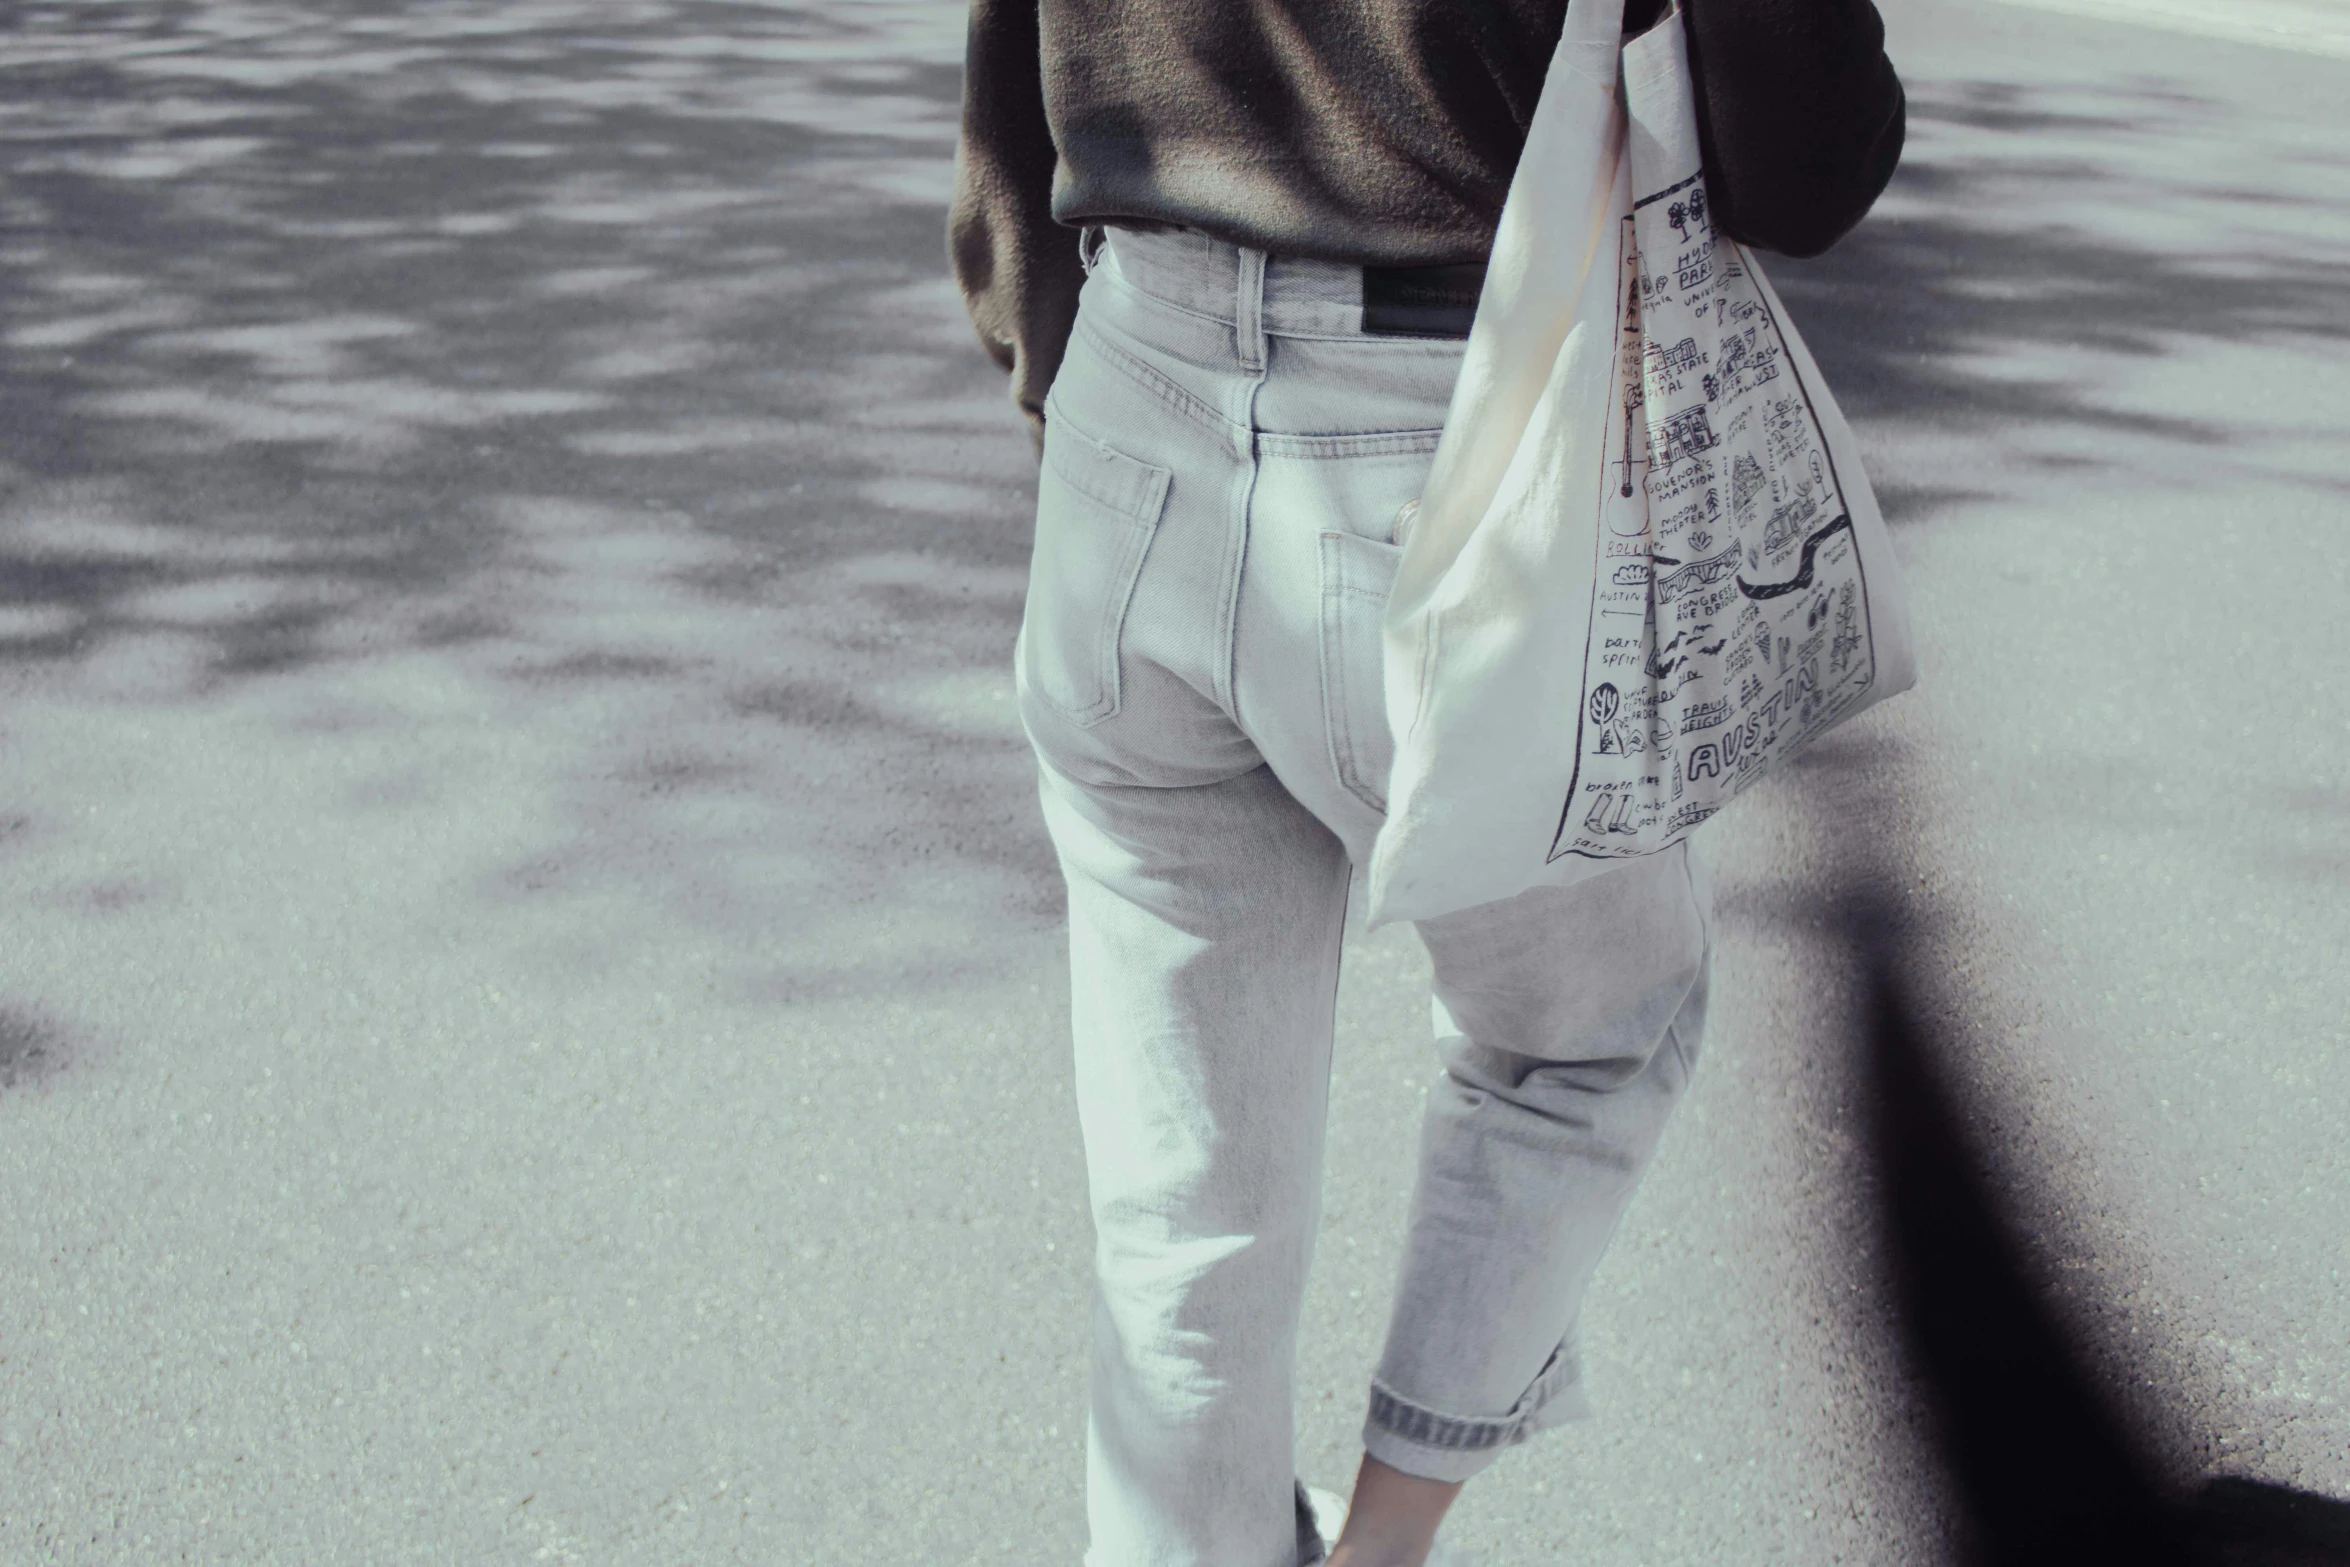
2046, 1470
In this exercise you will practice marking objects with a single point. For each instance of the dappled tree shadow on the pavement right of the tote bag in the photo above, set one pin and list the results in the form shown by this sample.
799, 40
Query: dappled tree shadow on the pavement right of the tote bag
2050, 241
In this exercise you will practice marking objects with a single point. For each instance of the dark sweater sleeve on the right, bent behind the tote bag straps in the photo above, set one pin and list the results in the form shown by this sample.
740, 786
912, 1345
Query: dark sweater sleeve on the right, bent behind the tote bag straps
1799, 116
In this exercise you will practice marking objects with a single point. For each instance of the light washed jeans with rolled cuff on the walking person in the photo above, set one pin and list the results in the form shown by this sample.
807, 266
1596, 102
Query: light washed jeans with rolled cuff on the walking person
1200, 675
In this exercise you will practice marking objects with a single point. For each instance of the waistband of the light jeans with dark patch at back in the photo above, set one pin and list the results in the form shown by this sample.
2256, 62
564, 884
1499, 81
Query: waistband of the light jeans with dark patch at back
1291, 295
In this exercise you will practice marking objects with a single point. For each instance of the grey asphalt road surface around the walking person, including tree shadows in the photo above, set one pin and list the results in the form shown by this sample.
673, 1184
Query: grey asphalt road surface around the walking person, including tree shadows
530, 974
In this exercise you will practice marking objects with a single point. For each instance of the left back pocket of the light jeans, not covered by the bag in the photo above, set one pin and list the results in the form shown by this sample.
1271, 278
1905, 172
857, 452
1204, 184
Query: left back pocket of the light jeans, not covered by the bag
1096, 513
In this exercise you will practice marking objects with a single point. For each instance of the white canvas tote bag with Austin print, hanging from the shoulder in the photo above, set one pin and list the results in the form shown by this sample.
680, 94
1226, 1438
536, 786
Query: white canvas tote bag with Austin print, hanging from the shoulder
1646, 565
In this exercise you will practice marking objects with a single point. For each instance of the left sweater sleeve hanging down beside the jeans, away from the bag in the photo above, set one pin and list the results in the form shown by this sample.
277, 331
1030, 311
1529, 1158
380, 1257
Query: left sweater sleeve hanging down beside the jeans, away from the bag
1016, 267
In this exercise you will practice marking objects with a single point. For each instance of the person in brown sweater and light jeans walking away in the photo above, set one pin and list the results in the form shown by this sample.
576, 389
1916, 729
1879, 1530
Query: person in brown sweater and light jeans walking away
1228, 253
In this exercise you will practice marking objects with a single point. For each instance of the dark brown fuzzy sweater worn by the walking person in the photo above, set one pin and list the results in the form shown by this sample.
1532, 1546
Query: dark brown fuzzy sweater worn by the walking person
1378, 133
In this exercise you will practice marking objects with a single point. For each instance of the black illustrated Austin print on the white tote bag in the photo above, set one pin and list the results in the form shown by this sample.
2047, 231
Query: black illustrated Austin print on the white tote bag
1731, 617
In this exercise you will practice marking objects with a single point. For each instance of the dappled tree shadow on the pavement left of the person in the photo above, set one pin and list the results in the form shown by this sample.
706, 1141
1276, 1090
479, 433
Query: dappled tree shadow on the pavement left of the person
593, 358
